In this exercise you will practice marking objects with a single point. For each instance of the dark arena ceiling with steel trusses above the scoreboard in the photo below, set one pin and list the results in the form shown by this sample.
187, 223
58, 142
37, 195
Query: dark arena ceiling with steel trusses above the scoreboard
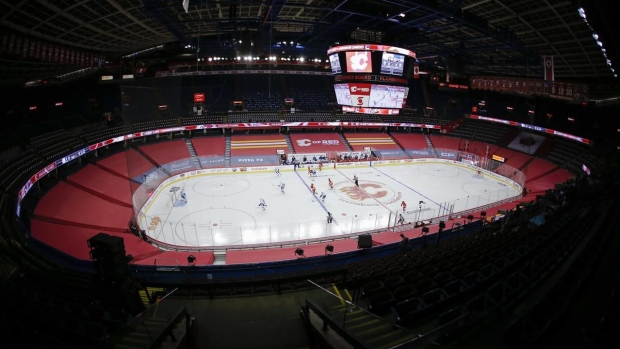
470, 37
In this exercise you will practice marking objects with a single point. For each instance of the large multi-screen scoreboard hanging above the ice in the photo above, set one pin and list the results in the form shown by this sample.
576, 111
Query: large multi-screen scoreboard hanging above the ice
371, 78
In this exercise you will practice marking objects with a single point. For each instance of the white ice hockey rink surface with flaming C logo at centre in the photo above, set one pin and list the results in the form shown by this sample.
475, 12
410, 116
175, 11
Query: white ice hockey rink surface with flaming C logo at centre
222, 208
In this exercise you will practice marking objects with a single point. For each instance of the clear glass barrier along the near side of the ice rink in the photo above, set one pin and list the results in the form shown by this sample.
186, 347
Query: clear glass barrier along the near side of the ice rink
188, 234
